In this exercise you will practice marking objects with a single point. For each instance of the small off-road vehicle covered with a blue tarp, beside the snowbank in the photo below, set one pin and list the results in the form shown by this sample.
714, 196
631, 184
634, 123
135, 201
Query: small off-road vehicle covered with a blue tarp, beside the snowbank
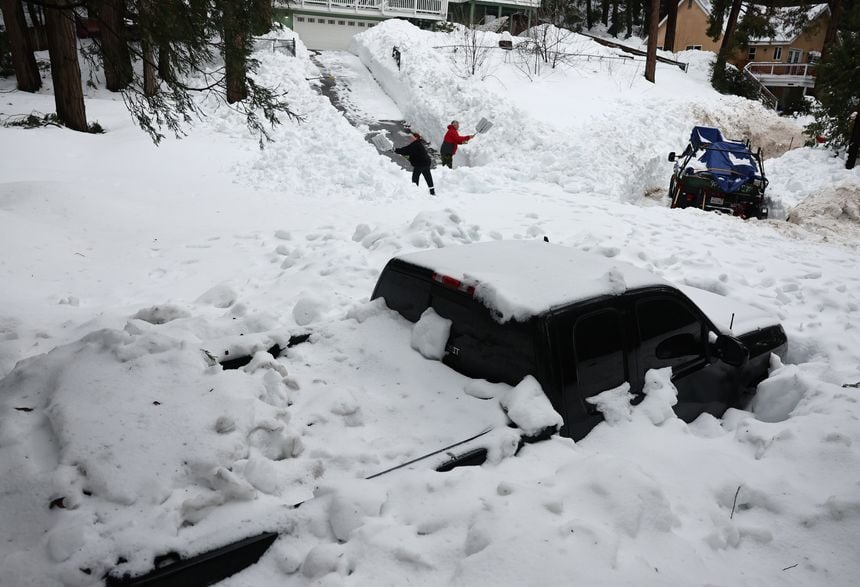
714, 173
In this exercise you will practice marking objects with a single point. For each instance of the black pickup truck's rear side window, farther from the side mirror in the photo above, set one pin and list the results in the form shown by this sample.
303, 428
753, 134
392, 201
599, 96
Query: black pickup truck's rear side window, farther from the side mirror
599, 346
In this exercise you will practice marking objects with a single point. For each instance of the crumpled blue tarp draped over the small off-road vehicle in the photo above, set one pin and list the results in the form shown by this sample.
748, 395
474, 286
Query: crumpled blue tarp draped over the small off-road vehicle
731, 164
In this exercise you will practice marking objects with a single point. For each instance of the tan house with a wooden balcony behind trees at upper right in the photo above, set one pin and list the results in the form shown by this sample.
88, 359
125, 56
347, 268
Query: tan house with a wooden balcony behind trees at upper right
784, 63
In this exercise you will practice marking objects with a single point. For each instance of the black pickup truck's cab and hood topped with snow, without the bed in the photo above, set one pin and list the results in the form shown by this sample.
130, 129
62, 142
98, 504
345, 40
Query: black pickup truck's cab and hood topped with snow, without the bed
582, 324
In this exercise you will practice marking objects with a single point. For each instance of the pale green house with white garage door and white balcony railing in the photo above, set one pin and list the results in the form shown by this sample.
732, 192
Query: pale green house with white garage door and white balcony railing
330, 24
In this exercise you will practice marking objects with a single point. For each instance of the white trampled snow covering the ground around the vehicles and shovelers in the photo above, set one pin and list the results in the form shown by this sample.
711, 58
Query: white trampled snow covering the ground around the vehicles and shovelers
122, 263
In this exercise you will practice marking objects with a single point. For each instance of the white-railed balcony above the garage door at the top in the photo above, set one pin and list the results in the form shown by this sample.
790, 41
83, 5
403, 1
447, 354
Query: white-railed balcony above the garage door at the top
423, 9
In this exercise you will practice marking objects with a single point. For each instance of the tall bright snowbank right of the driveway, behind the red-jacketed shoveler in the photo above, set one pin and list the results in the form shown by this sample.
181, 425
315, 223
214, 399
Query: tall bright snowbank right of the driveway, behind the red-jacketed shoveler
530, 138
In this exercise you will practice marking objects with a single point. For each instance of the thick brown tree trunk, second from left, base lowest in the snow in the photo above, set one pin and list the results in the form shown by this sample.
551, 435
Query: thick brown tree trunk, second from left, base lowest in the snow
65, 69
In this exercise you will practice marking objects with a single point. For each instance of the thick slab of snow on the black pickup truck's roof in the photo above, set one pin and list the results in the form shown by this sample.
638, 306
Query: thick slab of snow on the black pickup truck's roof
524, 278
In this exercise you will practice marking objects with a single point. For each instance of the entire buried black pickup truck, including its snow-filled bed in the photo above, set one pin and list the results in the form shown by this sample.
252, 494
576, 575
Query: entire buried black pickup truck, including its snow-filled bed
520, 336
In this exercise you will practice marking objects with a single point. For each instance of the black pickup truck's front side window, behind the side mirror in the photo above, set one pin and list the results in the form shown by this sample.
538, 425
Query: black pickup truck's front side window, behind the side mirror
670, 334
